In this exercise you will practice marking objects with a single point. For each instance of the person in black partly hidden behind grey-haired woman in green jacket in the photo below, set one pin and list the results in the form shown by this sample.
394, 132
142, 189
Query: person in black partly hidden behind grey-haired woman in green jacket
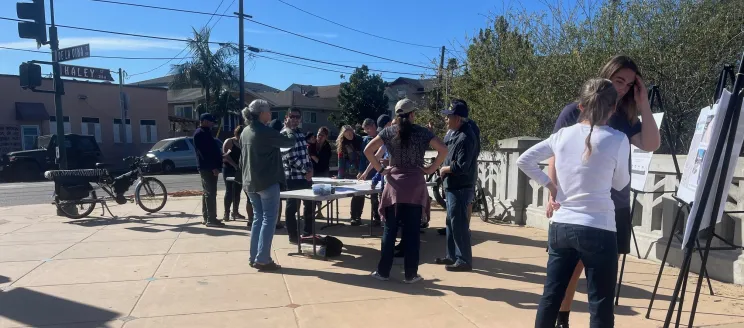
230, 168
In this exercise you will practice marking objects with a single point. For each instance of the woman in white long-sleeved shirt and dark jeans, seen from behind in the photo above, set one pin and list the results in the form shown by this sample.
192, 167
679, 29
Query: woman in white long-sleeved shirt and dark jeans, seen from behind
590, 159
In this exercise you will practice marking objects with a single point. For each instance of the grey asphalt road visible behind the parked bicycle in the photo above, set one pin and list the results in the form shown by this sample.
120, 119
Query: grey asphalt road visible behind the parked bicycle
27, 193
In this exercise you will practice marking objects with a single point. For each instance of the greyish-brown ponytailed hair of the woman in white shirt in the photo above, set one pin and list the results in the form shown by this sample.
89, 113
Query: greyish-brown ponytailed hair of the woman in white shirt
597, 100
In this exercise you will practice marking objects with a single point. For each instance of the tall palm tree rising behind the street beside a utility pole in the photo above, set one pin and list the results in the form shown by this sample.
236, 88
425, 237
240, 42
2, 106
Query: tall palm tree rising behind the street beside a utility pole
215, 72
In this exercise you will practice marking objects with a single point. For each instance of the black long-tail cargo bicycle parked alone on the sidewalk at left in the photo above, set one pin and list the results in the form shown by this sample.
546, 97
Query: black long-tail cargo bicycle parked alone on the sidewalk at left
76, 198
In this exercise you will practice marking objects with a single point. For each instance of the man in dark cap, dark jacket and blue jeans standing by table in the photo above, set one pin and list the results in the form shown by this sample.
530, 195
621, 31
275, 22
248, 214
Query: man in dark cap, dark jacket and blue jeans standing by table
459, 171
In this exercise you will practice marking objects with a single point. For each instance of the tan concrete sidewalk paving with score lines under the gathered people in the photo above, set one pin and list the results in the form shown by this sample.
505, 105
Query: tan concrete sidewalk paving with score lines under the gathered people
168, 270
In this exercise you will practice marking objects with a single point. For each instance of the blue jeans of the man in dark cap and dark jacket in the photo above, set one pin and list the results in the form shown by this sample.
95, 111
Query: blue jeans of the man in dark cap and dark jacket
458, 226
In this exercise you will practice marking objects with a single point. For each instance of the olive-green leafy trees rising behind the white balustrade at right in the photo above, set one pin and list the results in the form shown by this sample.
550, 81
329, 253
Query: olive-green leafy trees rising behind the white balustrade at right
523, 67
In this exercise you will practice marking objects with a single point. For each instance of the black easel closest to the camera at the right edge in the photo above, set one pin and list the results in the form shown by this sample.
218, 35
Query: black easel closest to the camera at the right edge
726, 137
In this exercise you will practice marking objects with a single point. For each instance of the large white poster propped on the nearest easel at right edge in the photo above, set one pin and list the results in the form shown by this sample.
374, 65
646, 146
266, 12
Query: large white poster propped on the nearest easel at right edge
700, 159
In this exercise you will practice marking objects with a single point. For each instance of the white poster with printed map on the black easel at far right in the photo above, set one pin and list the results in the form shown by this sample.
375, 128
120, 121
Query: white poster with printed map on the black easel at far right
710, 139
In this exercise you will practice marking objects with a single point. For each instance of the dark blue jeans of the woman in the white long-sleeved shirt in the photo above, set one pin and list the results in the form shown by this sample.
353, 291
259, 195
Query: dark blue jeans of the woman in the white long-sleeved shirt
597, 249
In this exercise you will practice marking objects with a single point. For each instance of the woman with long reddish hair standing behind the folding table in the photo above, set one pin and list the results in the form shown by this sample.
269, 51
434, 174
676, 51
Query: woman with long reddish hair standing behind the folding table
348, 147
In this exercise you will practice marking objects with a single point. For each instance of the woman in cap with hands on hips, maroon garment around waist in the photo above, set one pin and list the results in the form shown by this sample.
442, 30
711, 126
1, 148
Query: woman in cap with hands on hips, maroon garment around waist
405, 195
